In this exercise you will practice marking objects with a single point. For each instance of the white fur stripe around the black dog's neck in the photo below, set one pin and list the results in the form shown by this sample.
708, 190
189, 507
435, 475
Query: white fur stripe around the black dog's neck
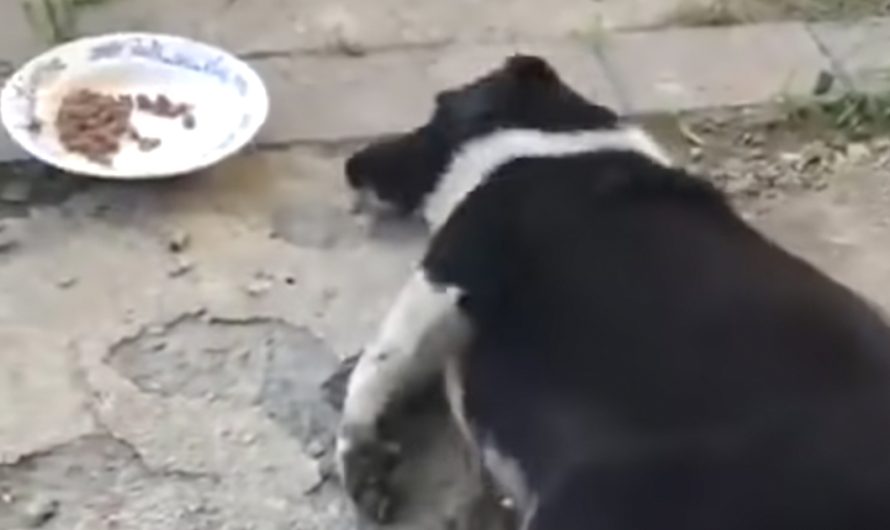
481, 157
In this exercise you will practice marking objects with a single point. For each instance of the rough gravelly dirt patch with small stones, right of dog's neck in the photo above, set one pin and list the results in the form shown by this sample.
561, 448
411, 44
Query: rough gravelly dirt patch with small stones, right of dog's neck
762, 156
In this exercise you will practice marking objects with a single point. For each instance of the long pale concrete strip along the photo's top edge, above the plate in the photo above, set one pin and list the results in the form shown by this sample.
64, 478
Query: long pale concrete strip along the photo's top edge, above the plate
316, 25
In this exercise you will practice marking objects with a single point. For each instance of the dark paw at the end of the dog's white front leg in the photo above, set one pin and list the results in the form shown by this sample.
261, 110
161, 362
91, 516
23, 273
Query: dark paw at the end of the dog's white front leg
365, 464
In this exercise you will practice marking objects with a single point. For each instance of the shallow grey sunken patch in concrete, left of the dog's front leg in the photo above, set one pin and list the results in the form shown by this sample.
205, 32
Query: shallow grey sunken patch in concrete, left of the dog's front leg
280, 368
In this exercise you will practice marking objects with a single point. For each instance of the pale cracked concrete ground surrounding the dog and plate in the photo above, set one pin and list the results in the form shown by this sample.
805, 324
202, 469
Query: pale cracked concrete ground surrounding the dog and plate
164, 346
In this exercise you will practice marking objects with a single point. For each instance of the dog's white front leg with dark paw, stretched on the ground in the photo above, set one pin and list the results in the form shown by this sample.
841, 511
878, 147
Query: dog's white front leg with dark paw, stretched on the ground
421, 328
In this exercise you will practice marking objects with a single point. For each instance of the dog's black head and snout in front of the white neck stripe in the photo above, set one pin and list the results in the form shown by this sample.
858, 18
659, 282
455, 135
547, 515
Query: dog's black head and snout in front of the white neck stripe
524, 93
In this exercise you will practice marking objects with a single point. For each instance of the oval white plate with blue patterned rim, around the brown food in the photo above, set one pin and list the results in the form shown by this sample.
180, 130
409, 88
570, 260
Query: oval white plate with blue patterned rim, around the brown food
229, 100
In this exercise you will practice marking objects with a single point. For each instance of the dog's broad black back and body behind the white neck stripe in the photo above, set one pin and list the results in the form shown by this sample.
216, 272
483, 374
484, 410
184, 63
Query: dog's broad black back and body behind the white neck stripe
653, 363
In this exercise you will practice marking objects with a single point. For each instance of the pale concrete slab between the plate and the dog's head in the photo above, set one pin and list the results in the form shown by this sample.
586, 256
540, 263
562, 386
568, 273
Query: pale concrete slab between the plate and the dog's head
392, 92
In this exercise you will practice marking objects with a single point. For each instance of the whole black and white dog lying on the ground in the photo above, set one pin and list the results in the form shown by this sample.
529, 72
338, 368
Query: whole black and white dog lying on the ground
622, 350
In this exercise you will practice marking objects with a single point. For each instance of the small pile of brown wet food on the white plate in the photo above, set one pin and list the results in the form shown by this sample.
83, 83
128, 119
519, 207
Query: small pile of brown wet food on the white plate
95, 125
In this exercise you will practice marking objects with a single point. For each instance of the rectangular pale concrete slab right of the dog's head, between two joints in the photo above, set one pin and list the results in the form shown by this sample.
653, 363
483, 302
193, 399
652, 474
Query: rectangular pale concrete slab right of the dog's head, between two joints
662, 70
